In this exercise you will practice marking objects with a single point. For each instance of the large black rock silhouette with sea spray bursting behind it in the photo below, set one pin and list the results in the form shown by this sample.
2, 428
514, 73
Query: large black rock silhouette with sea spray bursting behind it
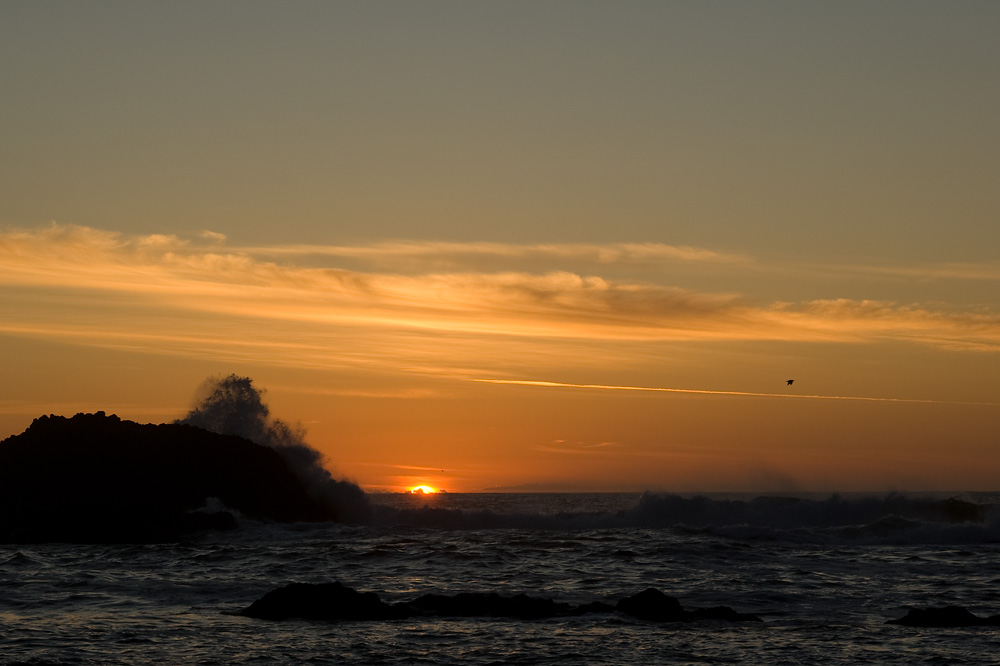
94, 478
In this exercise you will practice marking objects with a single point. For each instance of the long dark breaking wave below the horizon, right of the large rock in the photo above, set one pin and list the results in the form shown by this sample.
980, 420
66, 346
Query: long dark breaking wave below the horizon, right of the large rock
894, 518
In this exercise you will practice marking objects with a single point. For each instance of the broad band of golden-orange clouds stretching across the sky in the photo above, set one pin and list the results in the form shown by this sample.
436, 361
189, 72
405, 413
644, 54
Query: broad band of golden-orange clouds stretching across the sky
167, 294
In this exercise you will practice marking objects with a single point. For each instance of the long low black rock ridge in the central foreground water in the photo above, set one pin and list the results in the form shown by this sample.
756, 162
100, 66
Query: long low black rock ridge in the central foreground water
333, 601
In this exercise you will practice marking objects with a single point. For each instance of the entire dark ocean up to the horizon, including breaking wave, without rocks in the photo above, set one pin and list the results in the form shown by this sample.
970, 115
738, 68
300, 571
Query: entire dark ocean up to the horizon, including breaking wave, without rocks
824, 573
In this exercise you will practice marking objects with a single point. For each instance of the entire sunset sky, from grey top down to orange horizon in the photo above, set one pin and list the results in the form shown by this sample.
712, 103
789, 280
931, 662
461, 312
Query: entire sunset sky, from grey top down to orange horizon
518, 245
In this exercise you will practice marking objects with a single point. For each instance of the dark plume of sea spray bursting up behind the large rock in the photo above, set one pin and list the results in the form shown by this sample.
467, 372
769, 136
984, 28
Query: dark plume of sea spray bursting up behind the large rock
234, 406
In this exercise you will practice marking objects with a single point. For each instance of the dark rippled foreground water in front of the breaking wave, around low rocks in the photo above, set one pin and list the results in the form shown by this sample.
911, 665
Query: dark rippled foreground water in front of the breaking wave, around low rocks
168, 604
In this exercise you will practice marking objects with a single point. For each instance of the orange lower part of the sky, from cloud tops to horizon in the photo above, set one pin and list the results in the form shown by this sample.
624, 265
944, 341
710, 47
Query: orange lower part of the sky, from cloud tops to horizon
469, 380
